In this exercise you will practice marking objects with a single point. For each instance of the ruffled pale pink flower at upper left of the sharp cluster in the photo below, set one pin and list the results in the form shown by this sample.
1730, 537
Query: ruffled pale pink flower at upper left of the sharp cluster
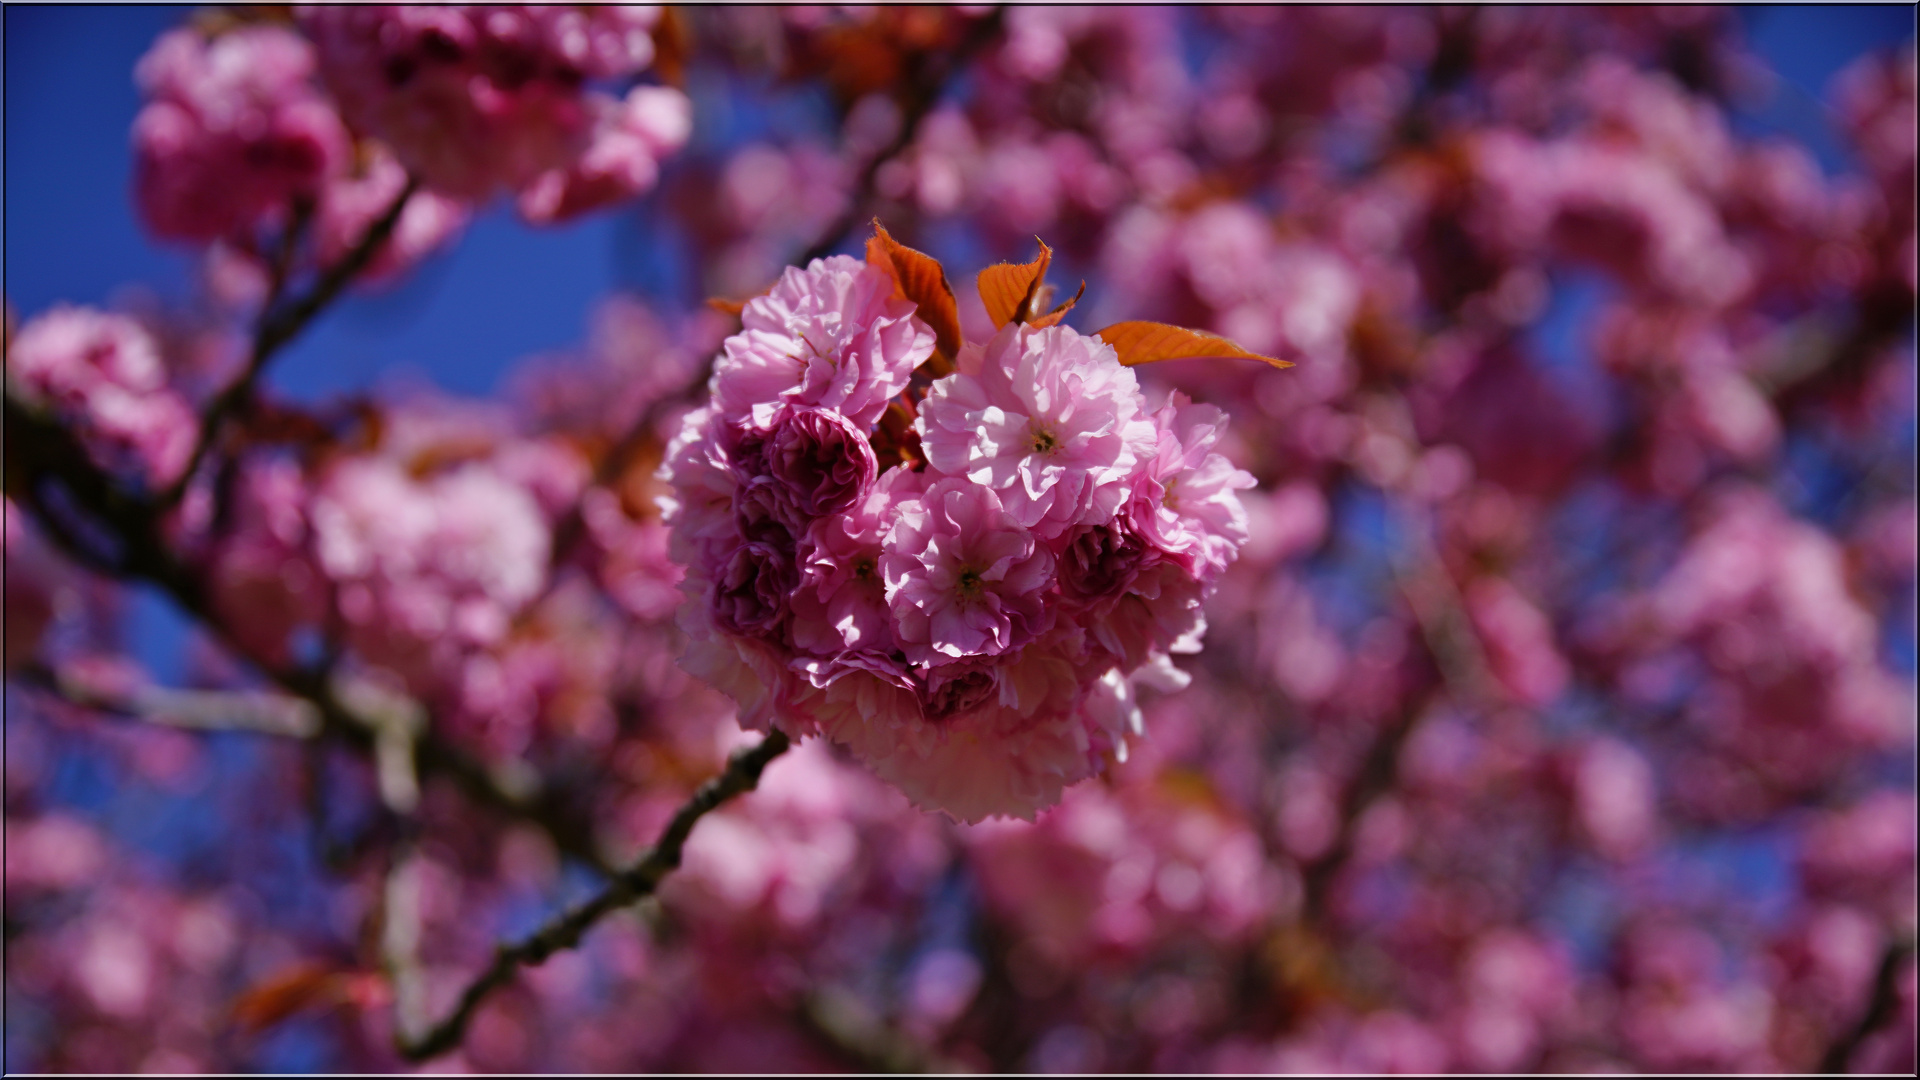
832, 337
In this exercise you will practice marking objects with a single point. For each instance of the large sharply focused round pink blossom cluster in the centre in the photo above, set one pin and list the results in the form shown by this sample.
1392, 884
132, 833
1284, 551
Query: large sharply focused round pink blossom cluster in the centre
969, 624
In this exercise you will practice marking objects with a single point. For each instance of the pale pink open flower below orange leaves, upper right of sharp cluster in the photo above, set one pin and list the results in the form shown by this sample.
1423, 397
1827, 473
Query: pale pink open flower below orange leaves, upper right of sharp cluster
1049, 420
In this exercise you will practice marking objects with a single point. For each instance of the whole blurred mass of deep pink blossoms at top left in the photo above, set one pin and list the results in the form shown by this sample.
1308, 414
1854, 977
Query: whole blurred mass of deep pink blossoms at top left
254, 124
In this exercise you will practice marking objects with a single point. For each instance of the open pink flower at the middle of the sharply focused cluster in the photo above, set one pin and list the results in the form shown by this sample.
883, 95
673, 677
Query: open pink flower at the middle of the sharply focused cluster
963, 577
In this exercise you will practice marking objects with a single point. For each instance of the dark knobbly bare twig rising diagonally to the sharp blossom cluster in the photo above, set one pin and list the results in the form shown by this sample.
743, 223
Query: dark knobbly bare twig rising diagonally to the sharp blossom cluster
636, 883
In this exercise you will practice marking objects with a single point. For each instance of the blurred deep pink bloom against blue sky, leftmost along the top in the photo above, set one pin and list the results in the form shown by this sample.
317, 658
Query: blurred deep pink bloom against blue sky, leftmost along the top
233, 132
